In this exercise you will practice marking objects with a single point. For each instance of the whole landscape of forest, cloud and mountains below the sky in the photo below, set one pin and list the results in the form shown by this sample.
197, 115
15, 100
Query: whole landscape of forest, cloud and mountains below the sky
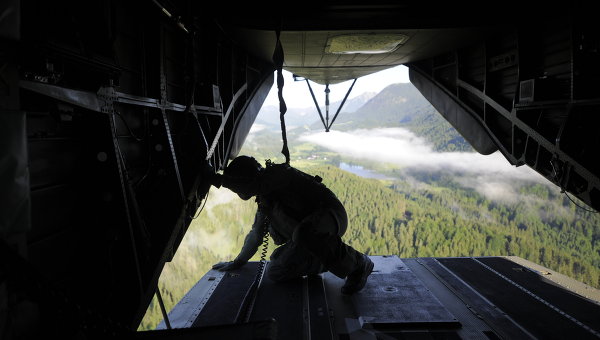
412, 187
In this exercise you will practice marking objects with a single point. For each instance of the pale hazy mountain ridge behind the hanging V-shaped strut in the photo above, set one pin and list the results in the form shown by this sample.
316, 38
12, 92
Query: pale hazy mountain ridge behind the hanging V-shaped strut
295, 117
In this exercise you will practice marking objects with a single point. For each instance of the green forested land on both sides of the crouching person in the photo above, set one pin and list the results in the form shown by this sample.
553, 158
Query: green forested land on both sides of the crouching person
391, 217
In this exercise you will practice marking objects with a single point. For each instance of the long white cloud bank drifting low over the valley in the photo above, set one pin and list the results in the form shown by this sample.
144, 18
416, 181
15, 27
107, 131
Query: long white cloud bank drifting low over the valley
491, 175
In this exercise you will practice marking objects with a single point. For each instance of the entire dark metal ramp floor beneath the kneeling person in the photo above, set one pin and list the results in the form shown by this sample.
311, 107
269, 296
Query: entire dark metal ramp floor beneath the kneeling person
416, 298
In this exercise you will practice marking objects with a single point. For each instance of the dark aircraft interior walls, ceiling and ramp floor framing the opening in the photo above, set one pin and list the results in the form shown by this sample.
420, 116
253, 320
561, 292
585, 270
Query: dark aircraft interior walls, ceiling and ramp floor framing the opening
110, 108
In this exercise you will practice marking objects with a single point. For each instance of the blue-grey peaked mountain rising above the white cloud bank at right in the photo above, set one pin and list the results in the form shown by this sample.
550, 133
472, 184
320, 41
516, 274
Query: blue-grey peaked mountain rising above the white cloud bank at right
402, 105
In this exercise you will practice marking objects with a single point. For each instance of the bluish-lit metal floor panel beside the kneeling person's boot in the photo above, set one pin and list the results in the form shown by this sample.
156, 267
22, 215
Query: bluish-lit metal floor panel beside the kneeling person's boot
395, 304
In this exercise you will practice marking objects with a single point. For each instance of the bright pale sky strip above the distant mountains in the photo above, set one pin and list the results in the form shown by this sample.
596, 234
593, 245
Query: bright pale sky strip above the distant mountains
297, 95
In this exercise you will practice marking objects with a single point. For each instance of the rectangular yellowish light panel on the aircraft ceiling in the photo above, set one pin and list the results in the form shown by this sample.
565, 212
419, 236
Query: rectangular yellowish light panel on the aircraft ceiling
373, 43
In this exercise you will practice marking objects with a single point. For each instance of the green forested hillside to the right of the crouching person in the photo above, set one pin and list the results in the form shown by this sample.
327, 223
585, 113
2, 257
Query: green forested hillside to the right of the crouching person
442, 219
